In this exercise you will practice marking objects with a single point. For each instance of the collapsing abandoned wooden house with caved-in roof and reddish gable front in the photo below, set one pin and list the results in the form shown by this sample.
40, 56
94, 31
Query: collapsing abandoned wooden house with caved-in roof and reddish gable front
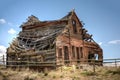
63, 41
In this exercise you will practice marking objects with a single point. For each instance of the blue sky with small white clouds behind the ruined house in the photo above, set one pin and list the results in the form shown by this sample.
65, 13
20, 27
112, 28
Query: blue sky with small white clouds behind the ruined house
101, 18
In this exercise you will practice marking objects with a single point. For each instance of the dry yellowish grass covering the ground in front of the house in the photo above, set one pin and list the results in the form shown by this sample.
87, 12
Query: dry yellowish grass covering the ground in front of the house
64, 73
